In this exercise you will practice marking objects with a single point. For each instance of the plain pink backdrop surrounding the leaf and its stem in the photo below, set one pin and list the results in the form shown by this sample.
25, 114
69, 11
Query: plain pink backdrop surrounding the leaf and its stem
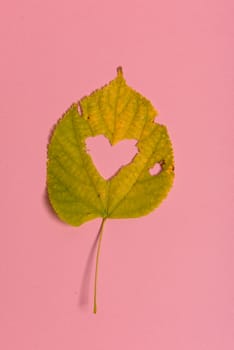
166, 280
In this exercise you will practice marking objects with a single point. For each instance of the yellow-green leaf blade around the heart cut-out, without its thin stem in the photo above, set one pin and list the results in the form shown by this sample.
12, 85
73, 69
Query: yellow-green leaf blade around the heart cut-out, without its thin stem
77, 191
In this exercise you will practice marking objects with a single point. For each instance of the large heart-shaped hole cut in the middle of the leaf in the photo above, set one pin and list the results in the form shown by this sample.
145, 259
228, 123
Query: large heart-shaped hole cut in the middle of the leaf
109, 159
